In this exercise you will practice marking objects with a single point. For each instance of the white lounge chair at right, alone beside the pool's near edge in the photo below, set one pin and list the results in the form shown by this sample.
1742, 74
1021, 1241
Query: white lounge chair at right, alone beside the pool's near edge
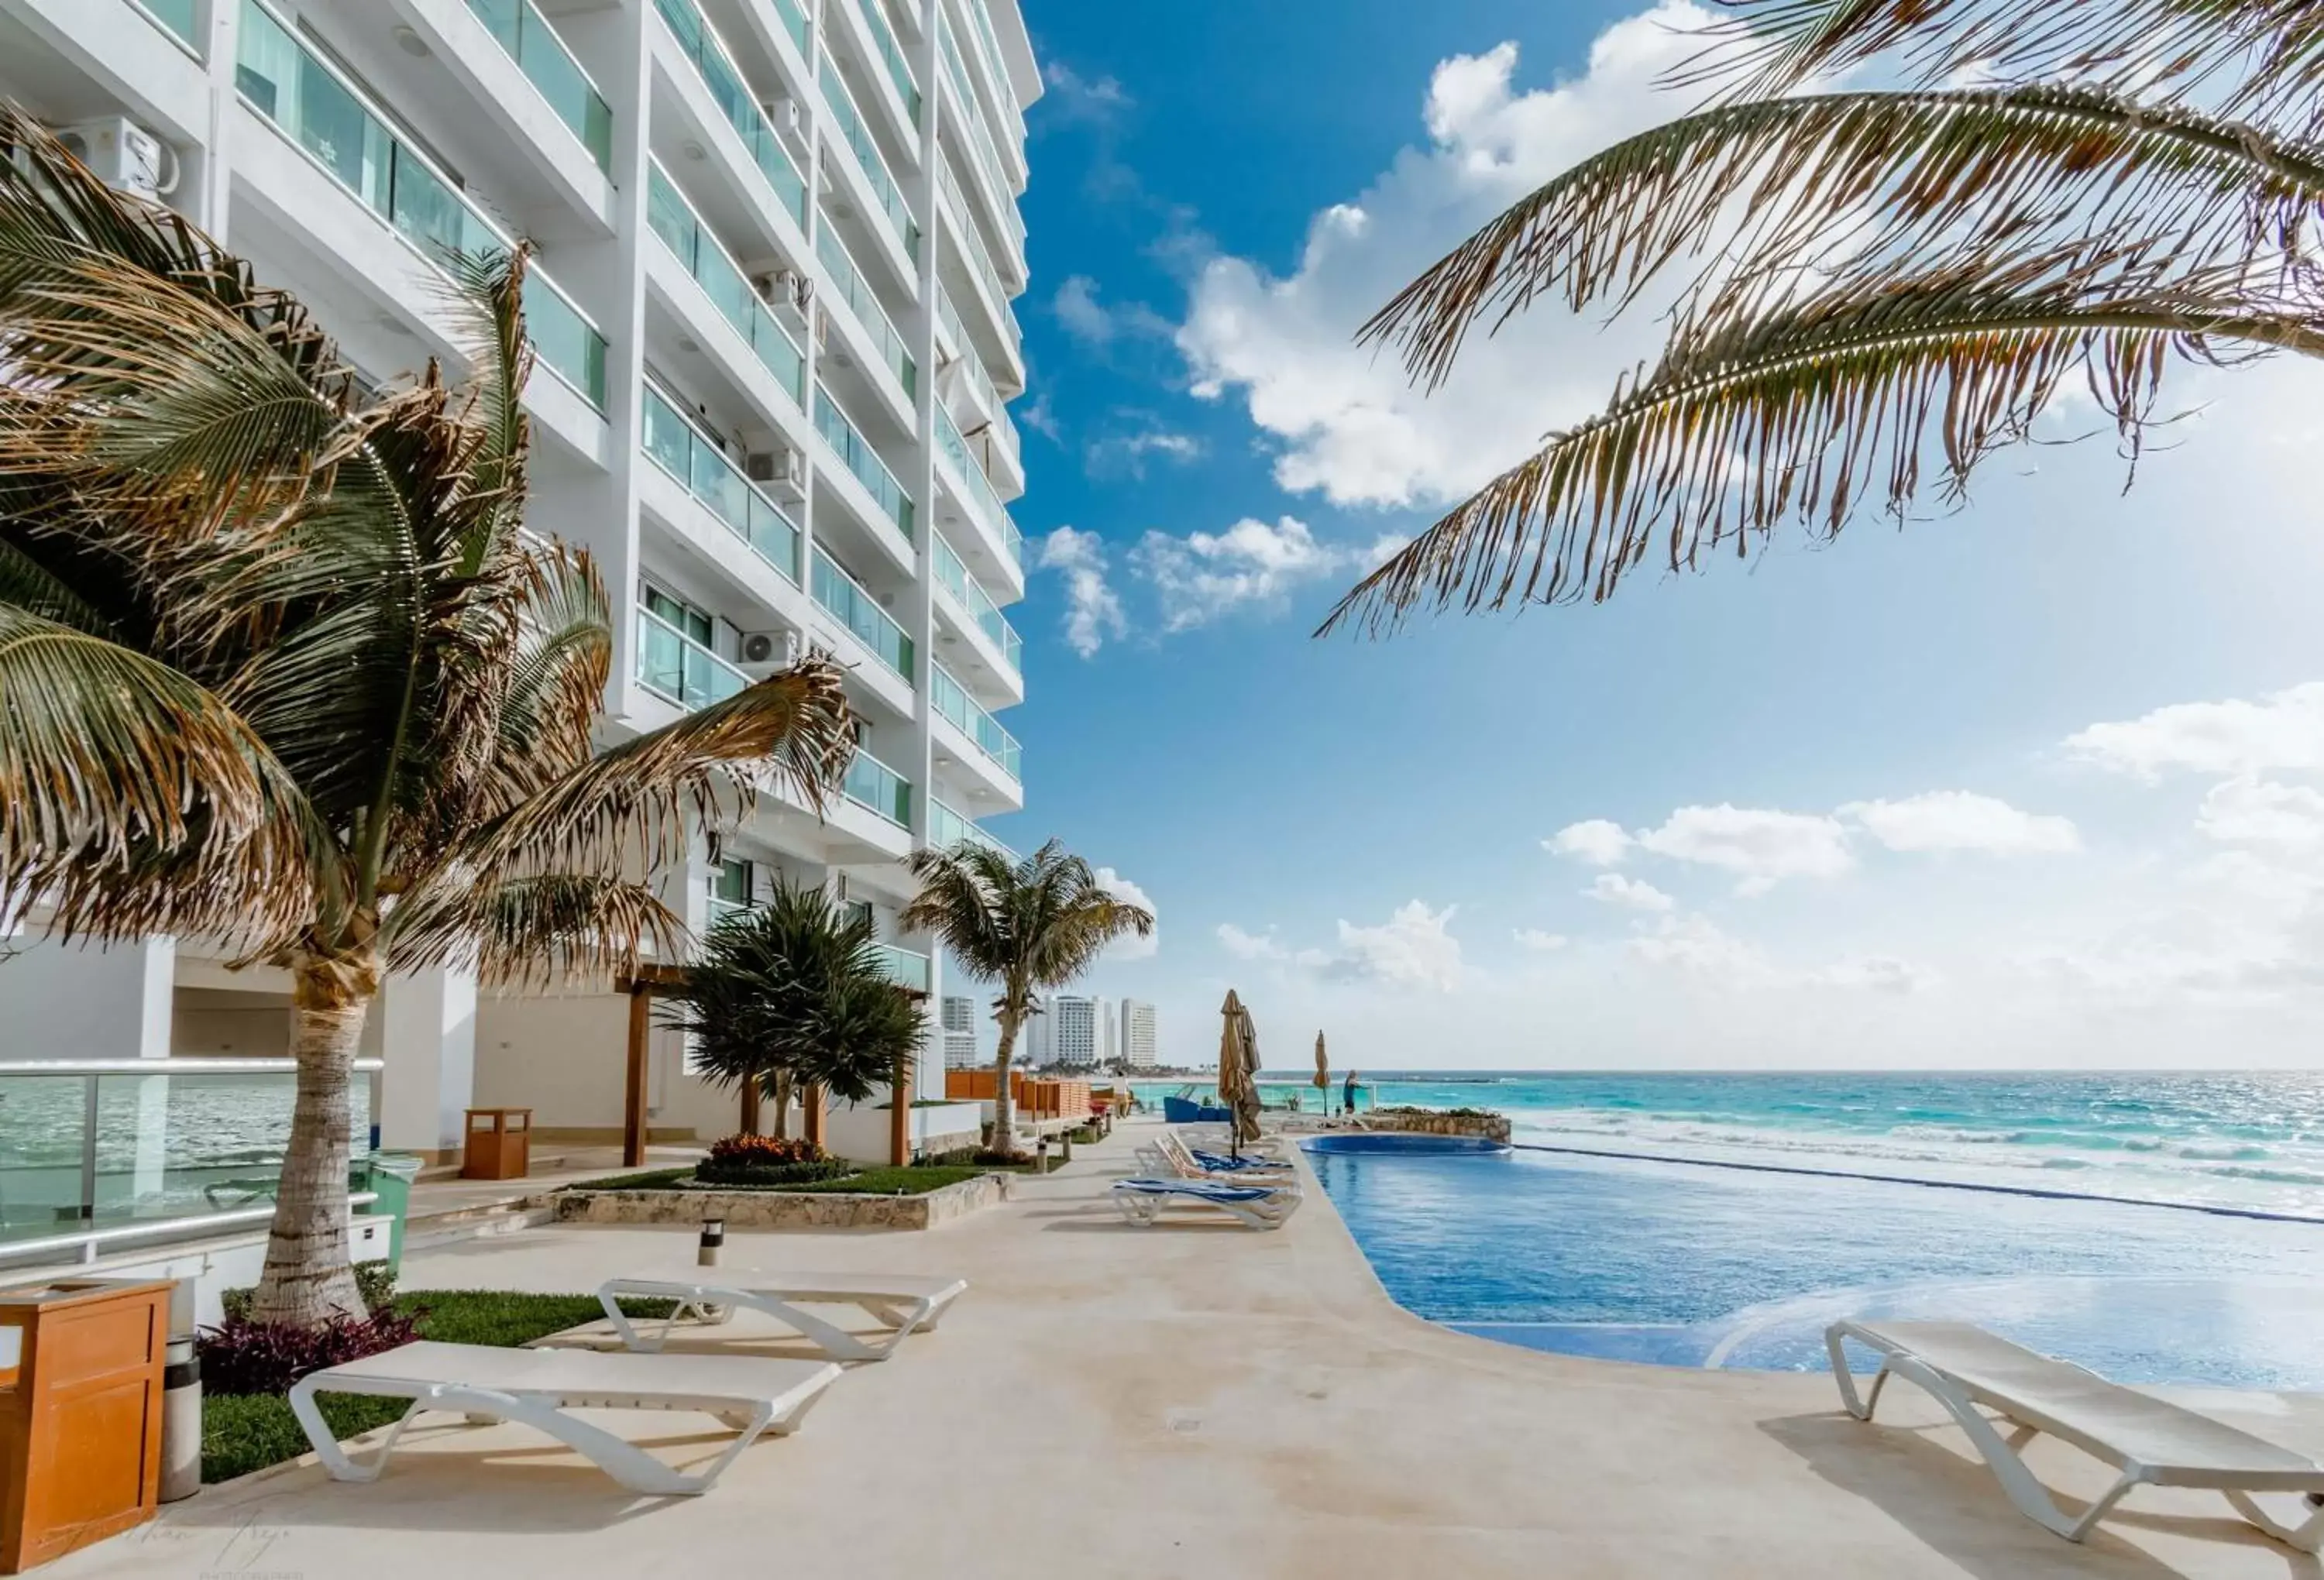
2153, 1444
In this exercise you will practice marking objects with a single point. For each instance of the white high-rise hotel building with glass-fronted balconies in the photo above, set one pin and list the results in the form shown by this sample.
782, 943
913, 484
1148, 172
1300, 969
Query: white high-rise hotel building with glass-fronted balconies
777, 245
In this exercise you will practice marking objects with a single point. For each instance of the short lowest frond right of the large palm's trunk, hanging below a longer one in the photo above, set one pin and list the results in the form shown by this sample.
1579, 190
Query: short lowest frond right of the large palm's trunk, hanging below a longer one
533, 933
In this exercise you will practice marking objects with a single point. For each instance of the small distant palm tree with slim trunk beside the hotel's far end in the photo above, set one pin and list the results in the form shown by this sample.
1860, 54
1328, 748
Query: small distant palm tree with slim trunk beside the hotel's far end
1031, 926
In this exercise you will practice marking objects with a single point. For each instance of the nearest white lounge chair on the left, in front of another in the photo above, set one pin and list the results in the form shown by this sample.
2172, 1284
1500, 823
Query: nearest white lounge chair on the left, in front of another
538, 1388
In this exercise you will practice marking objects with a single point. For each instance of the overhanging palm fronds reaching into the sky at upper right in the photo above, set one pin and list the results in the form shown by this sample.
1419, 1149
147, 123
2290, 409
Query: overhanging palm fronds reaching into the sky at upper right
1898, 280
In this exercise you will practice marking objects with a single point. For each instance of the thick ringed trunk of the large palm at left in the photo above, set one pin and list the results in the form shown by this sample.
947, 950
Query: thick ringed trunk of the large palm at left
308, 1277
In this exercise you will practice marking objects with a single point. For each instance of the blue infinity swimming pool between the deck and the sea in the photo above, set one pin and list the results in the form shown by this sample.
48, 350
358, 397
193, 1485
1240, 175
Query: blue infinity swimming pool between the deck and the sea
1723, 1267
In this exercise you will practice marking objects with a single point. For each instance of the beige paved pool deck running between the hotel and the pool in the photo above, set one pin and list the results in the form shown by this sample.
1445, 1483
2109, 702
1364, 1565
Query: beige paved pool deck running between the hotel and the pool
1193, 1402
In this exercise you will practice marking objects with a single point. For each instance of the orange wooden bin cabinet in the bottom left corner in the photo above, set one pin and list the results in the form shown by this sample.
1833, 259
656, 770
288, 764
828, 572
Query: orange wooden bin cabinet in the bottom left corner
80, 1414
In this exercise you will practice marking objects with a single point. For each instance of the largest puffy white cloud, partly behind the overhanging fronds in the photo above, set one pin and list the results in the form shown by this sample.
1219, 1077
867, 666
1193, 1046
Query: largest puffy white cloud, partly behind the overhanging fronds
1349, 422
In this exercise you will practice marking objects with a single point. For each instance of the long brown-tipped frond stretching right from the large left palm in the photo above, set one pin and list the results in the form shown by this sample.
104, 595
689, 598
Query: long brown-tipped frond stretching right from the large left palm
633, 803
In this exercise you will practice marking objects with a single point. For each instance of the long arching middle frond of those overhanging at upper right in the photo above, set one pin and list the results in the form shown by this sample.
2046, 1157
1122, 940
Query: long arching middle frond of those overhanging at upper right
1884, 180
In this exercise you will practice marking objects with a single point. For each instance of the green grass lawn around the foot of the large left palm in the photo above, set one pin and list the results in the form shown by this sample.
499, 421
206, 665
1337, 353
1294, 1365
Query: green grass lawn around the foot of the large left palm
250, 1432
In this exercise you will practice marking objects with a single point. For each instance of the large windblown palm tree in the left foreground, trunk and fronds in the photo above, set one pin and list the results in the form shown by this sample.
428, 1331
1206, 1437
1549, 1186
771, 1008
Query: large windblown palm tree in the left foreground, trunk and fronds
278, 666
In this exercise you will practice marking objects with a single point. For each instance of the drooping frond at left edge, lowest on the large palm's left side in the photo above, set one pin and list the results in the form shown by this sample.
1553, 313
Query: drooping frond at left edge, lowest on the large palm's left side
141, 803
